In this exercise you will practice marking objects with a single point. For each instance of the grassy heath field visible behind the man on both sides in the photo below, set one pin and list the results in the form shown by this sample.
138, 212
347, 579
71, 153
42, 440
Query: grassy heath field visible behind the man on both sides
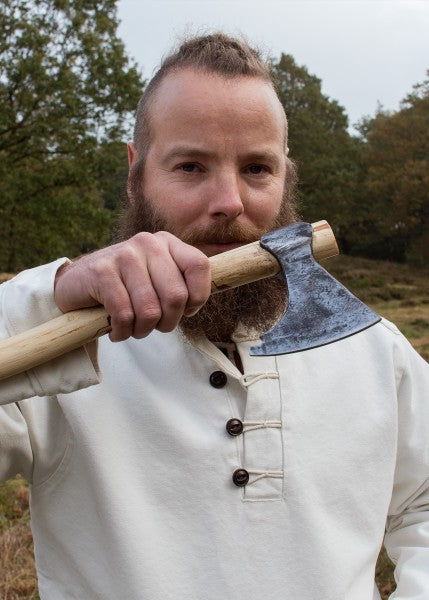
398, 292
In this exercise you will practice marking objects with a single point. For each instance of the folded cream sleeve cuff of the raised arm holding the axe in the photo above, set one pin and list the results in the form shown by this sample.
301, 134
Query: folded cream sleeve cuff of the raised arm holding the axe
27, 301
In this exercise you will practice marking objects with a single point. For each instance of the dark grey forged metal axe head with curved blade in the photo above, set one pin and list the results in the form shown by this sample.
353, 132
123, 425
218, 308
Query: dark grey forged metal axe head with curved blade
320, 310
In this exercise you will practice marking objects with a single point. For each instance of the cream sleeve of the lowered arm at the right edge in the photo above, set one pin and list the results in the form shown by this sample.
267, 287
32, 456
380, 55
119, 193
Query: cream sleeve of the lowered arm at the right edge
407, 529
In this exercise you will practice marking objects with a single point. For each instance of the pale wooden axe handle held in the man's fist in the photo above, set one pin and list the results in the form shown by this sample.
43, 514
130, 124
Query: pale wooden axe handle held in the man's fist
74, 329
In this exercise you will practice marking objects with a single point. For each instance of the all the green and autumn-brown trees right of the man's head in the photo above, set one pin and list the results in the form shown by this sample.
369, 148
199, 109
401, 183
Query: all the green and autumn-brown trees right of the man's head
373, 189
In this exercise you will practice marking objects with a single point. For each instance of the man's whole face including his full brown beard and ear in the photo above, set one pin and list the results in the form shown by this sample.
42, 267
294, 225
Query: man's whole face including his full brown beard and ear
215, 175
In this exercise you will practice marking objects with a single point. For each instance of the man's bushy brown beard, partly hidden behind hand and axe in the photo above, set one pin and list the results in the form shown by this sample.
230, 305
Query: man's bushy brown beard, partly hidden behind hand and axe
256, 305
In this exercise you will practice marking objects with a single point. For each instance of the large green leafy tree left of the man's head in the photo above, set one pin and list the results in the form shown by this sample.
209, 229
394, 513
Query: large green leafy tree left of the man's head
67, 92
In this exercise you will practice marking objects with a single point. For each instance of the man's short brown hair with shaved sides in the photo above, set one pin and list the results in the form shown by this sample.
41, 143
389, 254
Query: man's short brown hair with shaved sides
215, 53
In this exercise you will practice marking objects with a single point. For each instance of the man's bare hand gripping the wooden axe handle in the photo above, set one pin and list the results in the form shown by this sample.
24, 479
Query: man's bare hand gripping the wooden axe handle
148, 282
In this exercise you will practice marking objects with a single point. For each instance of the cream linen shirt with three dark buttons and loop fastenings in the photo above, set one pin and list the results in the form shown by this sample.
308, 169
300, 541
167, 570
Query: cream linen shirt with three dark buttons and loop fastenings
131, 466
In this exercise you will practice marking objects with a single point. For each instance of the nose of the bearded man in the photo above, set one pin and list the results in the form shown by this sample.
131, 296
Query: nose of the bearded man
226, 202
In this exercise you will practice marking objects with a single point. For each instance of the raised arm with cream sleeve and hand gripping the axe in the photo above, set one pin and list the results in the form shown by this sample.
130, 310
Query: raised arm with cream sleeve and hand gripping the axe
148, 282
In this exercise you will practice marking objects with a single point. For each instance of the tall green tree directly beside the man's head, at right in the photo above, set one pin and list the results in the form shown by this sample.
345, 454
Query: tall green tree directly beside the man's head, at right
328, 158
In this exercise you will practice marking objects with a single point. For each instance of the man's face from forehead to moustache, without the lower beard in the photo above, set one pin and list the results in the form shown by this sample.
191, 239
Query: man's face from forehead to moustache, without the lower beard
216, 165
